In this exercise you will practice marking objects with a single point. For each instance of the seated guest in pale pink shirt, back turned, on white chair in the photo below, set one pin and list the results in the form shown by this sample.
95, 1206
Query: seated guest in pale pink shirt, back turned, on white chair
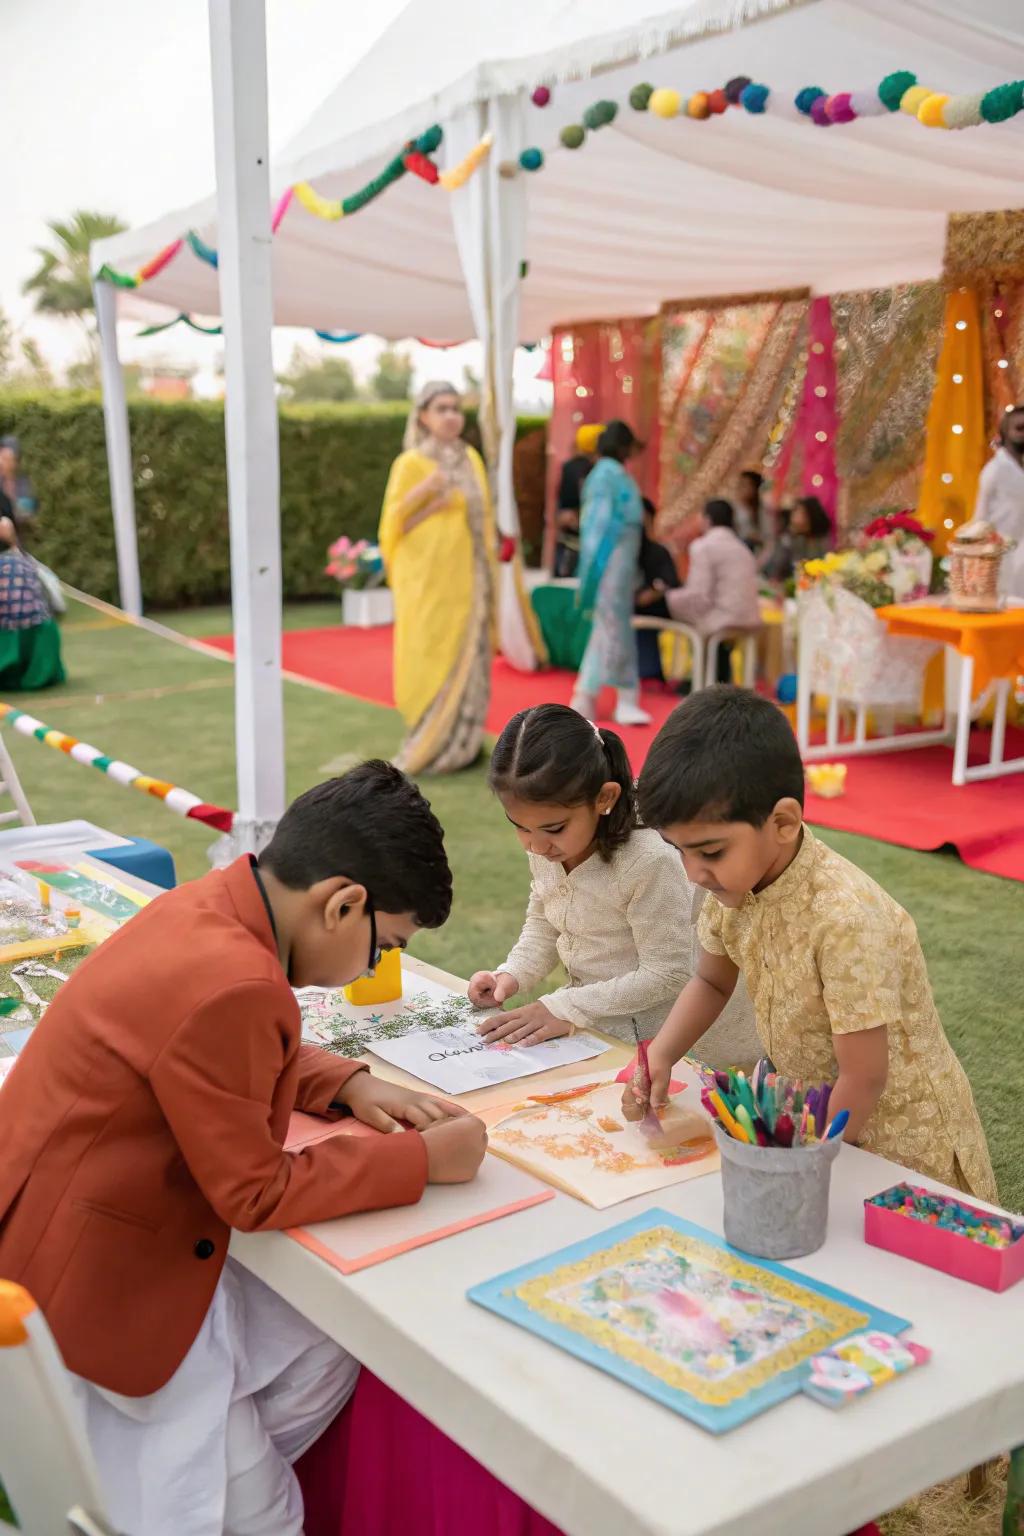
721, 591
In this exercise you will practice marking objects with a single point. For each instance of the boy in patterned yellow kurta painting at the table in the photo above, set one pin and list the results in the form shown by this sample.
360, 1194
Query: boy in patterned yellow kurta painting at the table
833, 964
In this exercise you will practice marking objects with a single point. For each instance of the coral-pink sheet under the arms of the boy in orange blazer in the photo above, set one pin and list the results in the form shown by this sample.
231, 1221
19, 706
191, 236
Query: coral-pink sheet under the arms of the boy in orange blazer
371, 1237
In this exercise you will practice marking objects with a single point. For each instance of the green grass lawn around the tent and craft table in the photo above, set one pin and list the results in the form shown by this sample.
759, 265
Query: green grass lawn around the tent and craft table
170, 712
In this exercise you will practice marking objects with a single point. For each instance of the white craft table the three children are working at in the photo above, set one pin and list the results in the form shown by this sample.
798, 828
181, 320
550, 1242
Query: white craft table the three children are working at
601, 1460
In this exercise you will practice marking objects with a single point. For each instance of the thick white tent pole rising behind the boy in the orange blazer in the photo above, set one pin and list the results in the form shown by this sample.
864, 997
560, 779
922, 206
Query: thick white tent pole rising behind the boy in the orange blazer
239, 56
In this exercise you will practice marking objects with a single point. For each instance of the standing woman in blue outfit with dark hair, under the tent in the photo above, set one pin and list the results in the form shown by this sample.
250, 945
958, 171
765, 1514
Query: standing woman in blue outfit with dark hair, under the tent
610, 546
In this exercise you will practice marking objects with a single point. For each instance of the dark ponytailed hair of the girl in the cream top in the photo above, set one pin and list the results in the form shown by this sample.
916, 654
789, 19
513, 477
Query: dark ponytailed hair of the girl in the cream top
553, 756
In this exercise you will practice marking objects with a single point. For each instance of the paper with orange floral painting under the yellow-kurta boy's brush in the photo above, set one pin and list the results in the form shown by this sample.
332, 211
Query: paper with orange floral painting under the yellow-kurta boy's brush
580, 1140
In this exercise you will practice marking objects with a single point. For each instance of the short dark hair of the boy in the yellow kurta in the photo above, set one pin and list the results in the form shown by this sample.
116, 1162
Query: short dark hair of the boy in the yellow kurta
722, 756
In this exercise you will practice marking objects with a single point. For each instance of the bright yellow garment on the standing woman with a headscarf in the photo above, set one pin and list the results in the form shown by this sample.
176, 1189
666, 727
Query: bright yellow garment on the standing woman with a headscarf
432, 575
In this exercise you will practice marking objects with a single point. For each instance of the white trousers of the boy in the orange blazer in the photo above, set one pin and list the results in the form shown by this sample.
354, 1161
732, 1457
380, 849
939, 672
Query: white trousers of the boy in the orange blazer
211, 1452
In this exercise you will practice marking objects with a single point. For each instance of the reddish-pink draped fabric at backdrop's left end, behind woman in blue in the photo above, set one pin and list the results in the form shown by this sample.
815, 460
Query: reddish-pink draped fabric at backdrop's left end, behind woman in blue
601, 372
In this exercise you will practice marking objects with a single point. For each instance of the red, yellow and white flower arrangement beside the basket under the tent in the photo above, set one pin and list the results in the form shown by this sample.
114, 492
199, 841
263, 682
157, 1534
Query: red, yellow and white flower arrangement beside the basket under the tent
891, 563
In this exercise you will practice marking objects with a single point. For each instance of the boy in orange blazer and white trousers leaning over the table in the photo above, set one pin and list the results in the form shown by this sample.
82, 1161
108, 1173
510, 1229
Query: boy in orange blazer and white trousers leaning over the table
147, 1119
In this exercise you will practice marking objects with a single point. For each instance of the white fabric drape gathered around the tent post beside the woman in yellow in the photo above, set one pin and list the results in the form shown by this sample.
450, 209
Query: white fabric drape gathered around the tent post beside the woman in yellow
491, 228
